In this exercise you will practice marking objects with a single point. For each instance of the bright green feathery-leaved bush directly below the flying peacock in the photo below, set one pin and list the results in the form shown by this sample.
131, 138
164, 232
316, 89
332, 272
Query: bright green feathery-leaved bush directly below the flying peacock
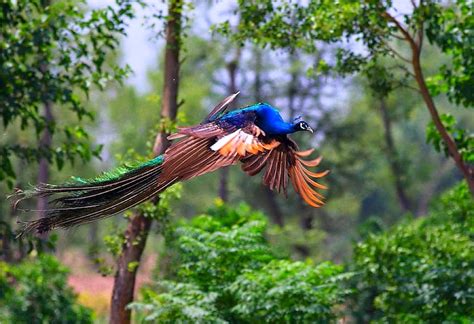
226, 272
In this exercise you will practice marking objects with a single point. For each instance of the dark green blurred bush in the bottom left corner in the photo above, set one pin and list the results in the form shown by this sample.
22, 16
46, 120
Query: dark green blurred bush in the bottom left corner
36, 291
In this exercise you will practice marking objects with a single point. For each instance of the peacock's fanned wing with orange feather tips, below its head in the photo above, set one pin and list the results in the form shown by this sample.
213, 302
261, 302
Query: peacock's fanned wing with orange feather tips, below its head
284, 162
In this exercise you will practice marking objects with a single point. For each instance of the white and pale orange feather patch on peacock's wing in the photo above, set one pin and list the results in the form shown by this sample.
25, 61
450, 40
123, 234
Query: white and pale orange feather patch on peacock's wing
241, 143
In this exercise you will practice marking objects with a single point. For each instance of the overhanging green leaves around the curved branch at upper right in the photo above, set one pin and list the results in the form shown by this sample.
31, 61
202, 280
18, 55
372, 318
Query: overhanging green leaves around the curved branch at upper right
293, 25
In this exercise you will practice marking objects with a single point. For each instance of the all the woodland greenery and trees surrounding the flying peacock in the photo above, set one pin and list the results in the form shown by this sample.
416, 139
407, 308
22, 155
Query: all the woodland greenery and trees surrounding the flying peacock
387, 87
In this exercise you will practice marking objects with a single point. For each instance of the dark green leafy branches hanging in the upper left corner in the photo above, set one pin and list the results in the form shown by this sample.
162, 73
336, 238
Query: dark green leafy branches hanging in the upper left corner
54, 54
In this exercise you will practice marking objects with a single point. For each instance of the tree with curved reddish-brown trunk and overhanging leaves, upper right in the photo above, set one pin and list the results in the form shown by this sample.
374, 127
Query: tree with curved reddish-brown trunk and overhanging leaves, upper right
293, 25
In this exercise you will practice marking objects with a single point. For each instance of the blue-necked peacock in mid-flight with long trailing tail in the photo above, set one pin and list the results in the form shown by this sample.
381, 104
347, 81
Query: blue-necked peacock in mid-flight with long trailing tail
256, 136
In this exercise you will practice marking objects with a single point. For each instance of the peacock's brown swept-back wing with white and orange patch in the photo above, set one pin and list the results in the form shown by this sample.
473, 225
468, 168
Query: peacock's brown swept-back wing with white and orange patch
215, 144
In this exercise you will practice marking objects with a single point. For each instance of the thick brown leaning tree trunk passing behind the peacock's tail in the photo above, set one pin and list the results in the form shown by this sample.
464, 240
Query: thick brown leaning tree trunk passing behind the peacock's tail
139, 225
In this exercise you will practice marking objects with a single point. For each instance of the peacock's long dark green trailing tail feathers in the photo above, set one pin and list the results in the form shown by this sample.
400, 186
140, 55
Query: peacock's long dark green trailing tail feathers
83, 201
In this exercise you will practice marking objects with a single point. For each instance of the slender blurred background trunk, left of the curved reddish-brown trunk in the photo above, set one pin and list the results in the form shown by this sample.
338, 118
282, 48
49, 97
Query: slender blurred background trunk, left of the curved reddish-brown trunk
392, 158
